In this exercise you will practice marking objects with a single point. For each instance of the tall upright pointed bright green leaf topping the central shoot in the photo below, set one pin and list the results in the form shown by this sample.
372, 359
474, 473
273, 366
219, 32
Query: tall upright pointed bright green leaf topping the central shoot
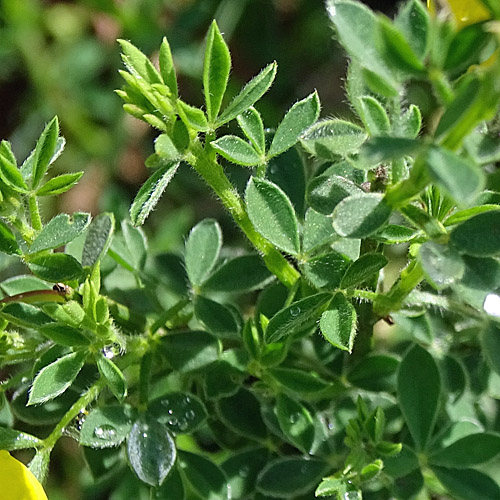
215, 71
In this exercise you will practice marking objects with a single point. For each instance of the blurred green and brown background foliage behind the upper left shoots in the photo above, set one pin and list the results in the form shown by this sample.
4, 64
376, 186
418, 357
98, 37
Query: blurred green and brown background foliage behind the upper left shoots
61, 58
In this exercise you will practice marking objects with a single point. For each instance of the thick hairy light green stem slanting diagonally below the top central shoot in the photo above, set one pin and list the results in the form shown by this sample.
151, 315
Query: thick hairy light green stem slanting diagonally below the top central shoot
214, 176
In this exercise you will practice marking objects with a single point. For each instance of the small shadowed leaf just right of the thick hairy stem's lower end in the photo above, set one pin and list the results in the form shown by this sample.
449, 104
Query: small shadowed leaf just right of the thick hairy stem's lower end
326, 271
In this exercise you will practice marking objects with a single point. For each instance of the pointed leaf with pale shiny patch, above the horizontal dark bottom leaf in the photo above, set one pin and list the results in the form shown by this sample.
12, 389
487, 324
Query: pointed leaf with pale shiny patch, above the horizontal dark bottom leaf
295, 422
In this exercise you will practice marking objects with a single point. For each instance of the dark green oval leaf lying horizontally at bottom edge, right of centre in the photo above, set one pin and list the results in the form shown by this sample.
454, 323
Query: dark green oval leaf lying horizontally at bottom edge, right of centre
289, 477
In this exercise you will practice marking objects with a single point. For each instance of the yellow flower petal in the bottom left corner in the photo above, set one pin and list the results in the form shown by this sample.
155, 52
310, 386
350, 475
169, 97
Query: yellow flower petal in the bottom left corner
17, 482
